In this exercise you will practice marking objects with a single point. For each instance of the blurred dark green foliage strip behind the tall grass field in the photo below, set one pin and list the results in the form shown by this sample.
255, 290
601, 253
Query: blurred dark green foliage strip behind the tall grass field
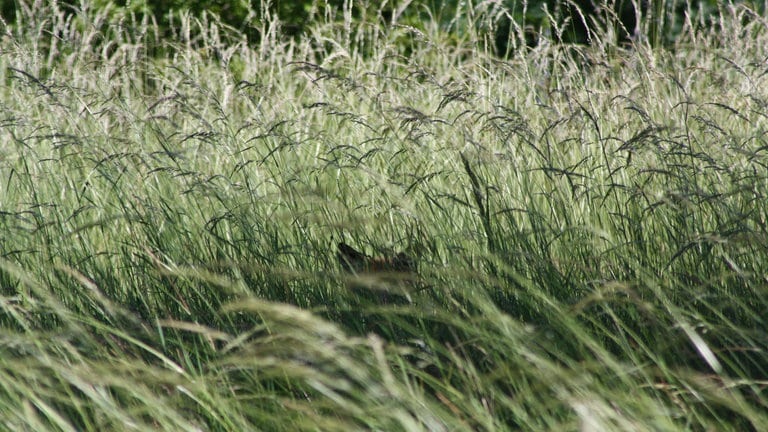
574, 21
